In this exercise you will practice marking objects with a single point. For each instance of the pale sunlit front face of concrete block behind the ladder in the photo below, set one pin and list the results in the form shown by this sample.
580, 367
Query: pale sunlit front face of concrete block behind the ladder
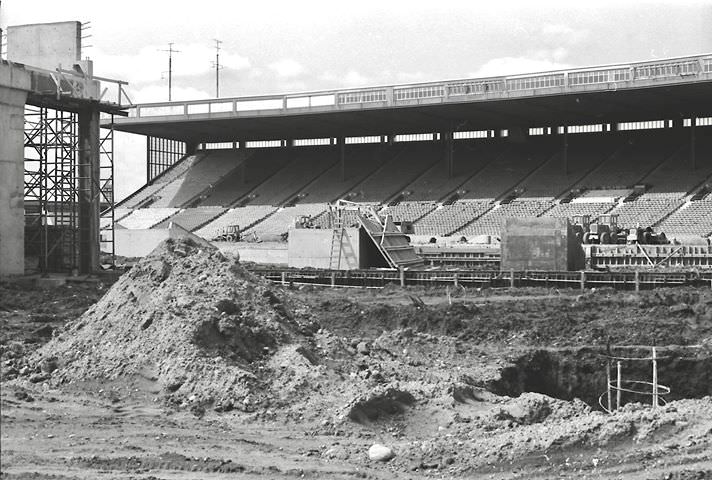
312, 248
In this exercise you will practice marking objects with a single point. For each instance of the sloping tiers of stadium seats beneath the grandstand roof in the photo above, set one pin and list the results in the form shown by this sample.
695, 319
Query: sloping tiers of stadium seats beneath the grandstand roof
492, 179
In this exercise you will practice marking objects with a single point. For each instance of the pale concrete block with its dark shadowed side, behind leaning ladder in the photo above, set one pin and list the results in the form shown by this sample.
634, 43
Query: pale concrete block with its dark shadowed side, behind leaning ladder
312, 248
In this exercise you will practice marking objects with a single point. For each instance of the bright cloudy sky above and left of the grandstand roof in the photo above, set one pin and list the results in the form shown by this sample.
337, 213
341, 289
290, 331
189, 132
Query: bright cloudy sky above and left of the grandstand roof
280, 46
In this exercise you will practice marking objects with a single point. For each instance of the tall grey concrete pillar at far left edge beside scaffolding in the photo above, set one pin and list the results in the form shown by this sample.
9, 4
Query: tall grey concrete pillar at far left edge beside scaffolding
14, 84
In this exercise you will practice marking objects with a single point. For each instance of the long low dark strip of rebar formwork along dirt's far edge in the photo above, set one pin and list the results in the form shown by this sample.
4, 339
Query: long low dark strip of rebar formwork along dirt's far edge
482, 278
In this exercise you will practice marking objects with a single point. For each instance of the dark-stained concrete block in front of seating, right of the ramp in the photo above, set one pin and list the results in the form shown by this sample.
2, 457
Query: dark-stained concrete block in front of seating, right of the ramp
540, 243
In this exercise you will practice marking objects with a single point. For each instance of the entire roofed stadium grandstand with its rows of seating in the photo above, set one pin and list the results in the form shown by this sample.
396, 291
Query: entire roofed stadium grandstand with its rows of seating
455, 158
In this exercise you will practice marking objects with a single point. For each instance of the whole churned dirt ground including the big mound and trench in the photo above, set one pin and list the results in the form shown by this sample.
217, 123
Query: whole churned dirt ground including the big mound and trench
190, 367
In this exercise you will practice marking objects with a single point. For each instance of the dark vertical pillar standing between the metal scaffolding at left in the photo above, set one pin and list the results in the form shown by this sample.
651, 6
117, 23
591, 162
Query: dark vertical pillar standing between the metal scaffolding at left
89, 194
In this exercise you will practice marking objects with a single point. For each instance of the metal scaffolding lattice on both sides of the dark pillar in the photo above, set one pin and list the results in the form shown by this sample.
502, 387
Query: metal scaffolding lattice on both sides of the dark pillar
57, 184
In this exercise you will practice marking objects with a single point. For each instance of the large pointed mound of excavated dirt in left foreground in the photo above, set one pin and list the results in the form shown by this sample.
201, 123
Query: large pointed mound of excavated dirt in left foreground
191, 317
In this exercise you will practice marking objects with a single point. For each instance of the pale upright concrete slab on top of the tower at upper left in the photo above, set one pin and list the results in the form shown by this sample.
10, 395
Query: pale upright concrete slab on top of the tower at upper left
45, 45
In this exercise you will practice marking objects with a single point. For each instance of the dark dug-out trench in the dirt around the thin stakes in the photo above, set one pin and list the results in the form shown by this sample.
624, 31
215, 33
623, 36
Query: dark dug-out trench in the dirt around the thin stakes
581, 373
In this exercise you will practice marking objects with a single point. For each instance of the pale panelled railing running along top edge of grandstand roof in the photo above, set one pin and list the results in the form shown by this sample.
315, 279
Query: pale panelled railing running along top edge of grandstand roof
611, 77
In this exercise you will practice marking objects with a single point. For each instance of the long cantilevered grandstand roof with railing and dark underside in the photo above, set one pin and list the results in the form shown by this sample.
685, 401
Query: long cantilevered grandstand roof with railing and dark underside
662, 89
